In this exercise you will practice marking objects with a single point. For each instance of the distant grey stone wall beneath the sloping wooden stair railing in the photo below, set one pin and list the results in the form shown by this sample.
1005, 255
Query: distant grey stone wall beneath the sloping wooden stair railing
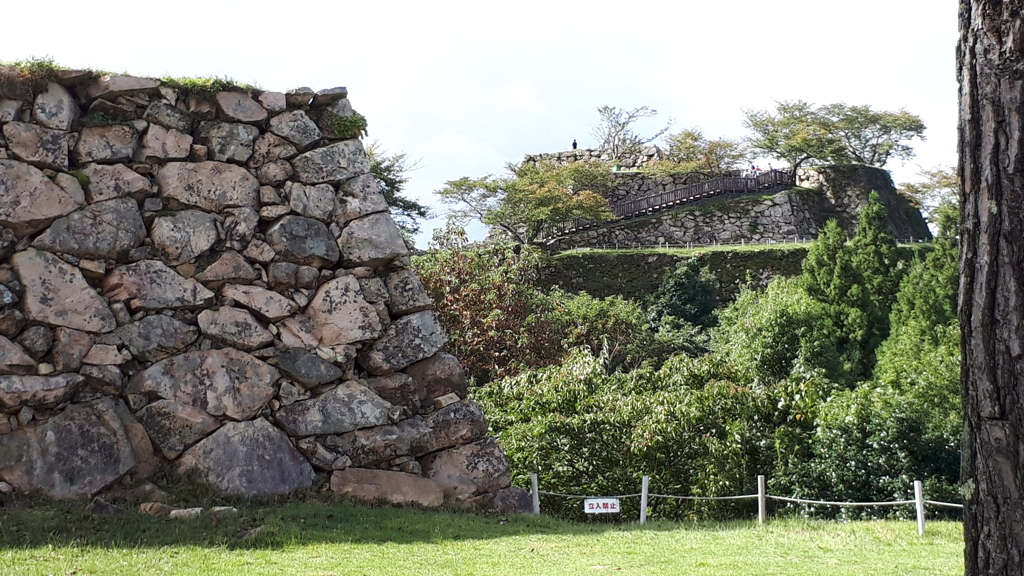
797, 215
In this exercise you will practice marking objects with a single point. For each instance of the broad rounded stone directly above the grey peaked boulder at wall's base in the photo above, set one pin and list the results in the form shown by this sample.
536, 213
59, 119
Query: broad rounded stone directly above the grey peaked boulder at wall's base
225, 383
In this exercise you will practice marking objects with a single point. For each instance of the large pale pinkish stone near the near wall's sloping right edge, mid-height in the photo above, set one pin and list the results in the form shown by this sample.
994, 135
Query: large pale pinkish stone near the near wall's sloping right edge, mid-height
340, 314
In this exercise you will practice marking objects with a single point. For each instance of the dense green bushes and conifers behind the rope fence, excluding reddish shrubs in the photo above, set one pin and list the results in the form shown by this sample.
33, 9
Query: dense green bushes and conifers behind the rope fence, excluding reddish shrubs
788, 388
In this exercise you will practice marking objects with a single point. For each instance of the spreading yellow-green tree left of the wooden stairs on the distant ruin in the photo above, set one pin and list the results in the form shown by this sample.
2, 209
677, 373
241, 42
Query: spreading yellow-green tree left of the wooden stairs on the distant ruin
536, 197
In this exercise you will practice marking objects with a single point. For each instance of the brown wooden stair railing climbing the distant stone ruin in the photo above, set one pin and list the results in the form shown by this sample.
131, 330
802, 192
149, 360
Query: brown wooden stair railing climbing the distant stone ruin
682, 195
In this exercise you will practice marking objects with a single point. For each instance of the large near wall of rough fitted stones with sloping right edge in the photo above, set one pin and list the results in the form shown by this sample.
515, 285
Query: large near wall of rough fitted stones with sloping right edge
214, 286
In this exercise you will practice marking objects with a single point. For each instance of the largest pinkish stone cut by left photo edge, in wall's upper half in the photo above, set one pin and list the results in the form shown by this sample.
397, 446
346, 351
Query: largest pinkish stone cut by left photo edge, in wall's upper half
30, 201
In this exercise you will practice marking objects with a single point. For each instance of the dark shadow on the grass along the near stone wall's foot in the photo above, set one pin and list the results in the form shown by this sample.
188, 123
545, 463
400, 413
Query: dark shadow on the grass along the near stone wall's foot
32, 523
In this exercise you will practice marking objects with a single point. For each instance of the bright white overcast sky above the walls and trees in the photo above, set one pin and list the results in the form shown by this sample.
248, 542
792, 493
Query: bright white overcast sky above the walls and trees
466, 88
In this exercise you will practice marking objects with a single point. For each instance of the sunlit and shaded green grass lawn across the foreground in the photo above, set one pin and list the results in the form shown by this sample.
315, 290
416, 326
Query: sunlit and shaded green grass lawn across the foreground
336, 539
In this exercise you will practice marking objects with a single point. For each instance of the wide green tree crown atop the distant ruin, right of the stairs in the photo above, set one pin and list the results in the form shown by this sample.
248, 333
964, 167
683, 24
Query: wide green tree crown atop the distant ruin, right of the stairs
800, 134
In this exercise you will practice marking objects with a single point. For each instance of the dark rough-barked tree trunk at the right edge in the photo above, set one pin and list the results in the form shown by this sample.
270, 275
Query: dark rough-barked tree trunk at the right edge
991, 69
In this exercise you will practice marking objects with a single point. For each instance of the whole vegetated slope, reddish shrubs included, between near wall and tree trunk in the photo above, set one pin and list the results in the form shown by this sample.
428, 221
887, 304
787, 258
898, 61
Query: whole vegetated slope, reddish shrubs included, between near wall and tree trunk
837, 380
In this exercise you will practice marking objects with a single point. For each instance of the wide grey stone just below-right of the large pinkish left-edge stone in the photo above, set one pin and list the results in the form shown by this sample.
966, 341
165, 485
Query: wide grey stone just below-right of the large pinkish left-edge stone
105, 230
